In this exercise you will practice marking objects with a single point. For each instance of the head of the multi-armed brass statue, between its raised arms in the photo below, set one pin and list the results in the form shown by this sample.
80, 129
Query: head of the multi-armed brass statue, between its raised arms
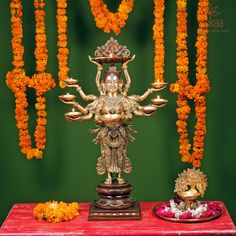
112, 82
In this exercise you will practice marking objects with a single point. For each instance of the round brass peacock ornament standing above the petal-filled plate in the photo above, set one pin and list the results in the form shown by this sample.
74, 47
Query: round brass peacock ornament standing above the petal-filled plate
191, 184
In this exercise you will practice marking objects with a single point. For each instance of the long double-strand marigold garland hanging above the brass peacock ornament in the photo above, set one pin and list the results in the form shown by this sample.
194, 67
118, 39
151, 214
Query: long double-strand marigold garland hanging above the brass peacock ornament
183, 87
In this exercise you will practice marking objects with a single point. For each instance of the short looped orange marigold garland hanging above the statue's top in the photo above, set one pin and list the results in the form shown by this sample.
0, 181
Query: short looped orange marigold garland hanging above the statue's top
107, 20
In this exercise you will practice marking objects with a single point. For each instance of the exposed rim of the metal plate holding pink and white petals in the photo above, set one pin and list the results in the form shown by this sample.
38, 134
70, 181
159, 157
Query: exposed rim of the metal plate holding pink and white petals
185, 220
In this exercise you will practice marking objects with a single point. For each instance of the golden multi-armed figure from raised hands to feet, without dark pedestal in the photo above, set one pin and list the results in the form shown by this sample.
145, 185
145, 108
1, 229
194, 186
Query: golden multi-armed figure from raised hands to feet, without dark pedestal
111, 109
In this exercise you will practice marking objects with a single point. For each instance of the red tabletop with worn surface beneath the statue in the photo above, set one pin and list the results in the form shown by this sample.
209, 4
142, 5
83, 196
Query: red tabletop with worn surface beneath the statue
20, 221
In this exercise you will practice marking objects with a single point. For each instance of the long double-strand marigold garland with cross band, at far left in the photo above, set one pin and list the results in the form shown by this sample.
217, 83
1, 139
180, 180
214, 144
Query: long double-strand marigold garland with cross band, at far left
18, 81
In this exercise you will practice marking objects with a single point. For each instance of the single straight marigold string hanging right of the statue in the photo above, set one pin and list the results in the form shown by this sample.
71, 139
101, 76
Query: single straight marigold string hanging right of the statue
158, 37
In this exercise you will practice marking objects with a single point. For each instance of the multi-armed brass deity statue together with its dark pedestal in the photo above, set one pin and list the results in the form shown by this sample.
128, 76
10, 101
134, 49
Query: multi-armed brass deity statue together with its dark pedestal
112, 109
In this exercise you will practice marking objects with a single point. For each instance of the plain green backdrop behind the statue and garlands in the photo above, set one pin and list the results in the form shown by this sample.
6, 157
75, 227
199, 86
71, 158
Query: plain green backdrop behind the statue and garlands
68, 170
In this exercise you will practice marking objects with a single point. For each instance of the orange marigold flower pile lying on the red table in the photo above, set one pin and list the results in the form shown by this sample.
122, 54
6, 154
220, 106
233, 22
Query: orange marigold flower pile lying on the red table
55, 212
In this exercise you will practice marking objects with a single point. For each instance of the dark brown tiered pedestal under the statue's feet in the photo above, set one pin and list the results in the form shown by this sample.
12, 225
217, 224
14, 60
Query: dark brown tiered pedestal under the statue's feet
114, 203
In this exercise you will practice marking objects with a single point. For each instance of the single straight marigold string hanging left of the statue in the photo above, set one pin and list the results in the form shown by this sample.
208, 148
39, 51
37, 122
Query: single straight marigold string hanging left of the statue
63, 51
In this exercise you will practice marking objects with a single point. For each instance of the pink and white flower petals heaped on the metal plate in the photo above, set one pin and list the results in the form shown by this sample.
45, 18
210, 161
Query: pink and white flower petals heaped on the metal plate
179, 209
